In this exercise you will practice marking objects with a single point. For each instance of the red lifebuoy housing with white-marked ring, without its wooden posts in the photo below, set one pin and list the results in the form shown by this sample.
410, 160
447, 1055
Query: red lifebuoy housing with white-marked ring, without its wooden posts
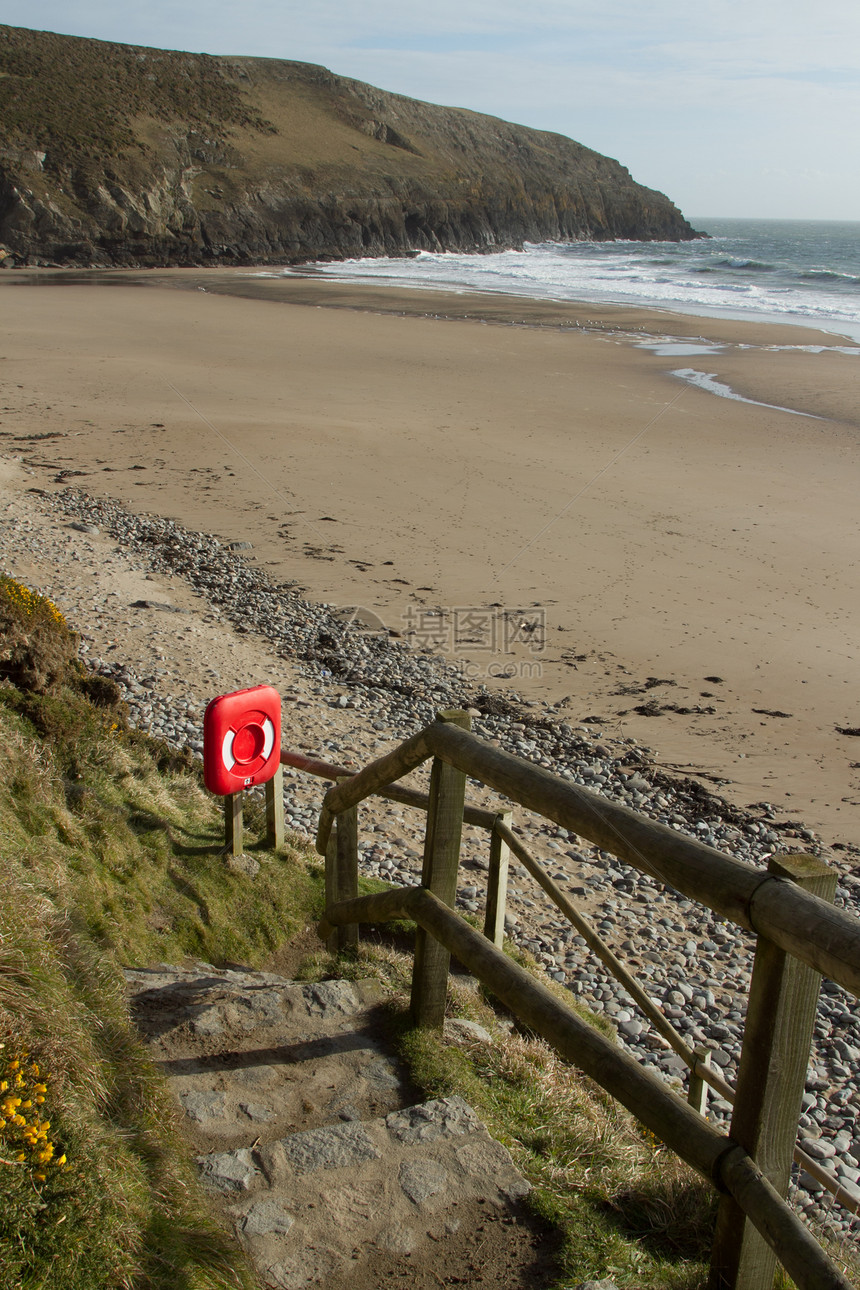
242, 740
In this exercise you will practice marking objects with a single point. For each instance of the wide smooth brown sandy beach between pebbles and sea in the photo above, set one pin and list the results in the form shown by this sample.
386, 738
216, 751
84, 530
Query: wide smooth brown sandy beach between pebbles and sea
520, 487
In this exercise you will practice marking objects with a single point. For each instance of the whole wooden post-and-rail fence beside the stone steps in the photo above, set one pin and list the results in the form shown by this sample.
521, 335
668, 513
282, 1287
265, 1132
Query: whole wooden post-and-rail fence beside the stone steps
800, 936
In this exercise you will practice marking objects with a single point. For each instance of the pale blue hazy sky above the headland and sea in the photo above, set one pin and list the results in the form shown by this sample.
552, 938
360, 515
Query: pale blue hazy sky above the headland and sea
732, 108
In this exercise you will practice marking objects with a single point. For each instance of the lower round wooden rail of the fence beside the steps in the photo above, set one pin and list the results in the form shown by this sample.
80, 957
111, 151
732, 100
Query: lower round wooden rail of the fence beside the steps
711, 1154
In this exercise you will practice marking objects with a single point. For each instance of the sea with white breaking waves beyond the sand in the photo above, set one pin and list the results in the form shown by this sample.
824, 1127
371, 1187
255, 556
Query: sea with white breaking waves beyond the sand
770, 270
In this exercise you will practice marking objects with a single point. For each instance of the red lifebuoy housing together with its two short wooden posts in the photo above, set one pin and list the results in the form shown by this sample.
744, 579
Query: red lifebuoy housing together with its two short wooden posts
242, 750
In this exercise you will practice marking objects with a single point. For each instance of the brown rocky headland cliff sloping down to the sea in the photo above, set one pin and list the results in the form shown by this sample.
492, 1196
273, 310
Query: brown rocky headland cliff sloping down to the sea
118, 155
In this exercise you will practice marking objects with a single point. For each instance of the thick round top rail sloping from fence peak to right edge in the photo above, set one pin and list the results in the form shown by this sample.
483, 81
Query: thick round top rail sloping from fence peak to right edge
818, 933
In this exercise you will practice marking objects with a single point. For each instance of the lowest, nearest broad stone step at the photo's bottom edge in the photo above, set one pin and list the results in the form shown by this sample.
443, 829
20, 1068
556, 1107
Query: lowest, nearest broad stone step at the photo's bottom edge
319, 1206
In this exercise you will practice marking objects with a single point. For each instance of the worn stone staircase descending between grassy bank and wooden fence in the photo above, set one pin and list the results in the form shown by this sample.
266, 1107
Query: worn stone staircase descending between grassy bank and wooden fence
306, 1132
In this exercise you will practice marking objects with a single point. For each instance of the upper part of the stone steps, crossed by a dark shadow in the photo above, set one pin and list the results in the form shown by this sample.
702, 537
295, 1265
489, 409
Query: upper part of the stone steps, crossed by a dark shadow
252, 1057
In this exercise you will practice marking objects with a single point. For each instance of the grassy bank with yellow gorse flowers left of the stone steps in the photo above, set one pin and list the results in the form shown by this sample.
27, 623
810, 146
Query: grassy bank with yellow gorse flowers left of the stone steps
110, 857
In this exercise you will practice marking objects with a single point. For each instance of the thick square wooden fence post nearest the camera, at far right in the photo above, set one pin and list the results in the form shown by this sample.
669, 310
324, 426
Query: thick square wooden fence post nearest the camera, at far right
778, 1037
